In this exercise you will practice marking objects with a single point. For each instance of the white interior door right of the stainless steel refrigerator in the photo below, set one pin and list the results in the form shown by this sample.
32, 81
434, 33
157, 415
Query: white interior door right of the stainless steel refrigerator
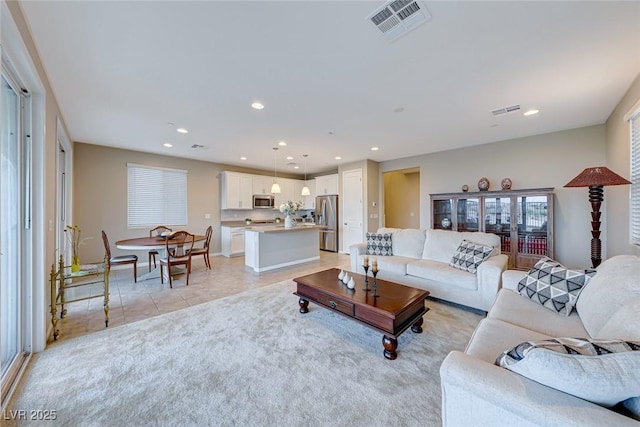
352, 214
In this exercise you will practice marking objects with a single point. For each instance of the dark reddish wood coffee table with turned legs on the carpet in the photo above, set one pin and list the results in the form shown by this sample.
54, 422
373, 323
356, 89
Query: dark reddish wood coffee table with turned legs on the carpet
396, 308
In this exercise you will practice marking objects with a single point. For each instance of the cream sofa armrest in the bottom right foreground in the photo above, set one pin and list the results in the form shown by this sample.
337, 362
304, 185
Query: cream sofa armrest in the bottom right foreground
476, 393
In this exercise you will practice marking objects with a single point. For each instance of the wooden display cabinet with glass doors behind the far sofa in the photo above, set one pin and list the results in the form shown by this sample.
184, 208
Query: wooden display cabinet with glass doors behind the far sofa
522, 218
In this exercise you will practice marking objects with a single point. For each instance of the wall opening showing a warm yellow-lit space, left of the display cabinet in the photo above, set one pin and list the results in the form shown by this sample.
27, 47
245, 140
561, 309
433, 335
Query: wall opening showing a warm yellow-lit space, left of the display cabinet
402, 198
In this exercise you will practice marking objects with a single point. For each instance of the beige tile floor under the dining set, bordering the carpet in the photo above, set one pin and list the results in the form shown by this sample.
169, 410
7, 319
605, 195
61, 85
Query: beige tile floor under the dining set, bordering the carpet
130, 301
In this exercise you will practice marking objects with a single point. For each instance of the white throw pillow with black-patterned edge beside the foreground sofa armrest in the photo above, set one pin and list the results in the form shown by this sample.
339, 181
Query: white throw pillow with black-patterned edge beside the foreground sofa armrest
605, 372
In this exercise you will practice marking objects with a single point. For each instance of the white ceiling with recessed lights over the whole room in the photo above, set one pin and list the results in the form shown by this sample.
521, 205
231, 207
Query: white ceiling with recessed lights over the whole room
123, 70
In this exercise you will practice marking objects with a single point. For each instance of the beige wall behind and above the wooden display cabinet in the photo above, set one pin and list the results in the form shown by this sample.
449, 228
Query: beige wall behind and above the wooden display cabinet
549, 160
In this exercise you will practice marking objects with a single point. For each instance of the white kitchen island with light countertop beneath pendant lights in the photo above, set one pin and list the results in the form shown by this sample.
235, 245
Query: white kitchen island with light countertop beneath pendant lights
273, 246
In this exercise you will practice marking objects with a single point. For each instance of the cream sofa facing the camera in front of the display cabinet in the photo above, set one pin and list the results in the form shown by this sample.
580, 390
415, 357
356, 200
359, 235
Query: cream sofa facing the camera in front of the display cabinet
420, 258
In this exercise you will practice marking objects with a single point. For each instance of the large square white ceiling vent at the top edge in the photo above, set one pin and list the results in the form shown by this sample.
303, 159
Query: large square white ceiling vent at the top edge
396, 18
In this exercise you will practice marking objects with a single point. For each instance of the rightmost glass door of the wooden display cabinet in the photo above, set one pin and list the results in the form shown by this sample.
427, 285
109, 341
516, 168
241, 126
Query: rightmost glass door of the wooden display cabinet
532, 214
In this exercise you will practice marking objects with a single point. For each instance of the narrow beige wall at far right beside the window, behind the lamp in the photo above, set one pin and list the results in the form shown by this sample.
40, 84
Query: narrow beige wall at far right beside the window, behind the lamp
616, 199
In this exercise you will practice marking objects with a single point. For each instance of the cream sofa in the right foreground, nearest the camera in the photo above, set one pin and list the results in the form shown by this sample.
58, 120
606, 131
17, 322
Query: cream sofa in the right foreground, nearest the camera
476, 392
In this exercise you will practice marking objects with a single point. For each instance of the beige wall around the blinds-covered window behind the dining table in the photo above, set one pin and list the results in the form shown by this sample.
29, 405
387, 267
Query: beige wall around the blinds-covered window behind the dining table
100, 196
